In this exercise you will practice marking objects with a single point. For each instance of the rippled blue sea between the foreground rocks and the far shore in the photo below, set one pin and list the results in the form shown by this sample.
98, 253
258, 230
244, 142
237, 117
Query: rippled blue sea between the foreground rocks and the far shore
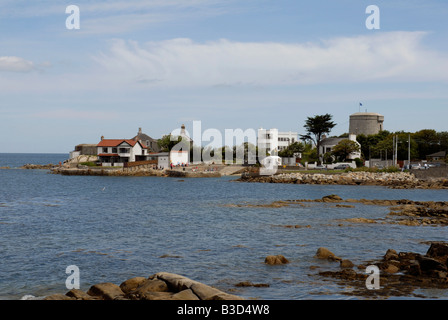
115, 228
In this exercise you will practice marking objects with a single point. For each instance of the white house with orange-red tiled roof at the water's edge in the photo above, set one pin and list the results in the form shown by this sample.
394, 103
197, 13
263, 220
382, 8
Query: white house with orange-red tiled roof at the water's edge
117, 152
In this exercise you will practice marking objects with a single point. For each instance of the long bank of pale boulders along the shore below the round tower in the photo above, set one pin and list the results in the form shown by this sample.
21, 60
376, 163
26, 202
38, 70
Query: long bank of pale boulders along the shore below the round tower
396, 180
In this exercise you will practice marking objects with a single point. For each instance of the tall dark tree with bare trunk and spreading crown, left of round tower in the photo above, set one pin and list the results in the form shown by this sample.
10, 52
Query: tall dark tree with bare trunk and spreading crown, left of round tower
316, 127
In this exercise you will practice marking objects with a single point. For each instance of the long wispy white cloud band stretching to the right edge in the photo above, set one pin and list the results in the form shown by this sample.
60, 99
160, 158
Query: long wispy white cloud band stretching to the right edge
394, 56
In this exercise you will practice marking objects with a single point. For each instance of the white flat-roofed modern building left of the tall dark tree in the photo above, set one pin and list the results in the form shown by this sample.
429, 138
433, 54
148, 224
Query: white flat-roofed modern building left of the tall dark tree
274, 141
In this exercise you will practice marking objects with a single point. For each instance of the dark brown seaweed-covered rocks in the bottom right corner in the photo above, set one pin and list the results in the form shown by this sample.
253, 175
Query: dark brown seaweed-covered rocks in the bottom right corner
400, 273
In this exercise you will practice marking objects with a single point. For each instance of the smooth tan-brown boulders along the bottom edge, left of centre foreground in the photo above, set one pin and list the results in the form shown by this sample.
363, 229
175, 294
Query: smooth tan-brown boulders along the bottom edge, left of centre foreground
159, 286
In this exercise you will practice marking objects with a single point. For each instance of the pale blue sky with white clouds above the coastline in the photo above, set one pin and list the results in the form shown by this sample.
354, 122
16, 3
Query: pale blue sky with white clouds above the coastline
230, 64
